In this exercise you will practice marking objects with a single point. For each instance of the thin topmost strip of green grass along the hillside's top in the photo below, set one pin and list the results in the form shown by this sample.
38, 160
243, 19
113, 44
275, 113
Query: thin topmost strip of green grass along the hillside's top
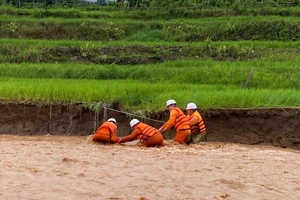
168, 12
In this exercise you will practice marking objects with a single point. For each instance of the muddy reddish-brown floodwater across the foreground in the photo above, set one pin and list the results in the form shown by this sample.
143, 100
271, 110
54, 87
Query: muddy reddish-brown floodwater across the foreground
70, 167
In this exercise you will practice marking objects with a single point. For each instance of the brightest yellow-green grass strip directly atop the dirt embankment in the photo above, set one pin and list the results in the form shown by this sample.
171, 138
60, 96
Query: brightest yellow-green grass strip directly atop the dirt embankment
136, 95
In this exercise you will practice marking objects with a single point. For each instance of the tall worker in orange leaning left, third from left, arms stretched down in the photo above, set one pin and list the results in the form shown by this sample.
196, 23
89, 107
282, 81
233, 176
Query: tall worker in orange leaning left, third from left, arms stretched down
179, 121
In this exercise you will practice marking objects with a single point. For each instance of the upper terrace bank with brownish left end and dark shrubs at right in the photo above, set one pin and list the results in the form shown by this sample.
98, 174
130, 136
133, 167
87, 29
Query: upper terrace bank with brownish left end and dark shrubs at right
184, 30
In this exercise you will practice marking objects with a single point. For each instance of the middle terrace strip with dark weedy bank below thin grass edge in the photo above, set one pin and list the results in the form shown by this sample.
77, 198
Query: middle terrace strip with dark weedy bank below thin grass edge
124, 53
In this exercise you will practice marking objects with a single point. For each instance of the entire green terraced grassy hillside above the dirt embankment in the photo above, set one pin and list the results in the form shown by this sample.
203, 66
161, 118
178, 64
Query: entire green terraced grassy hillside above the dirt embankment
207, 61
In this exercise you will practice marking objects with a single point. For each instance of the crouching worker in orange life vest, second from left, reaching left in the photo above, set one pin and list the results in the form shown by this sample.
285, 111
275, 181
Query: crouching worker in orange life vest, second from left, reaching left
148, 135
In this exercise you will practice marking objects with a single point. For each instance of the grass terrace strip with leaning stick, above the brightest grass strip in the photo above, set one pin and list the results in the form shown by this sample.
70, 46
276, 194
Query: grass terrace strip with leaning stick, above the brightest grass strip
268, 75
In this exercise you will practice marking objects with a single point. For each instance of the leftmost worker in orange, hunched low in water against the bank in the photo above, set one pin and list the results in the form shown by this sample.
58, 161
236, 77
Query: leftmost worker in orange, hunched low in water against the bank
106, 133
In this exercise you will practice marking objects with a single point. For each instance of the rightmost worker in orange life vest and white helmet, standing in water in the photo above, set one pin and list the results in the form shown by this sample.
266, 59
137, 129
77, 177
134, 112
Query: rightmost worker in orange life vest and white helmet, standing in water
198, 129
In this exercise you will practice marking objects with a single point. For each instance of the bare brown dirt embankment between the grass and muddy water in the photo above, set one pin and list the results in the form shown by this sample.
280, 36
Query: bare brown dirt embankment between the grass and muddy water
278, 127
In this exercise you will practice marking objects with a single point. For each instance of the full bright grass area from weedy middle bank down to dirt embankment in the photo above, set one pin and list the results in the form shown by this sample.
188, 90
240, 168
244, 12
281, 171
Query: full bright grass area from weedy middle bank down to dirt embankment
210, 84
